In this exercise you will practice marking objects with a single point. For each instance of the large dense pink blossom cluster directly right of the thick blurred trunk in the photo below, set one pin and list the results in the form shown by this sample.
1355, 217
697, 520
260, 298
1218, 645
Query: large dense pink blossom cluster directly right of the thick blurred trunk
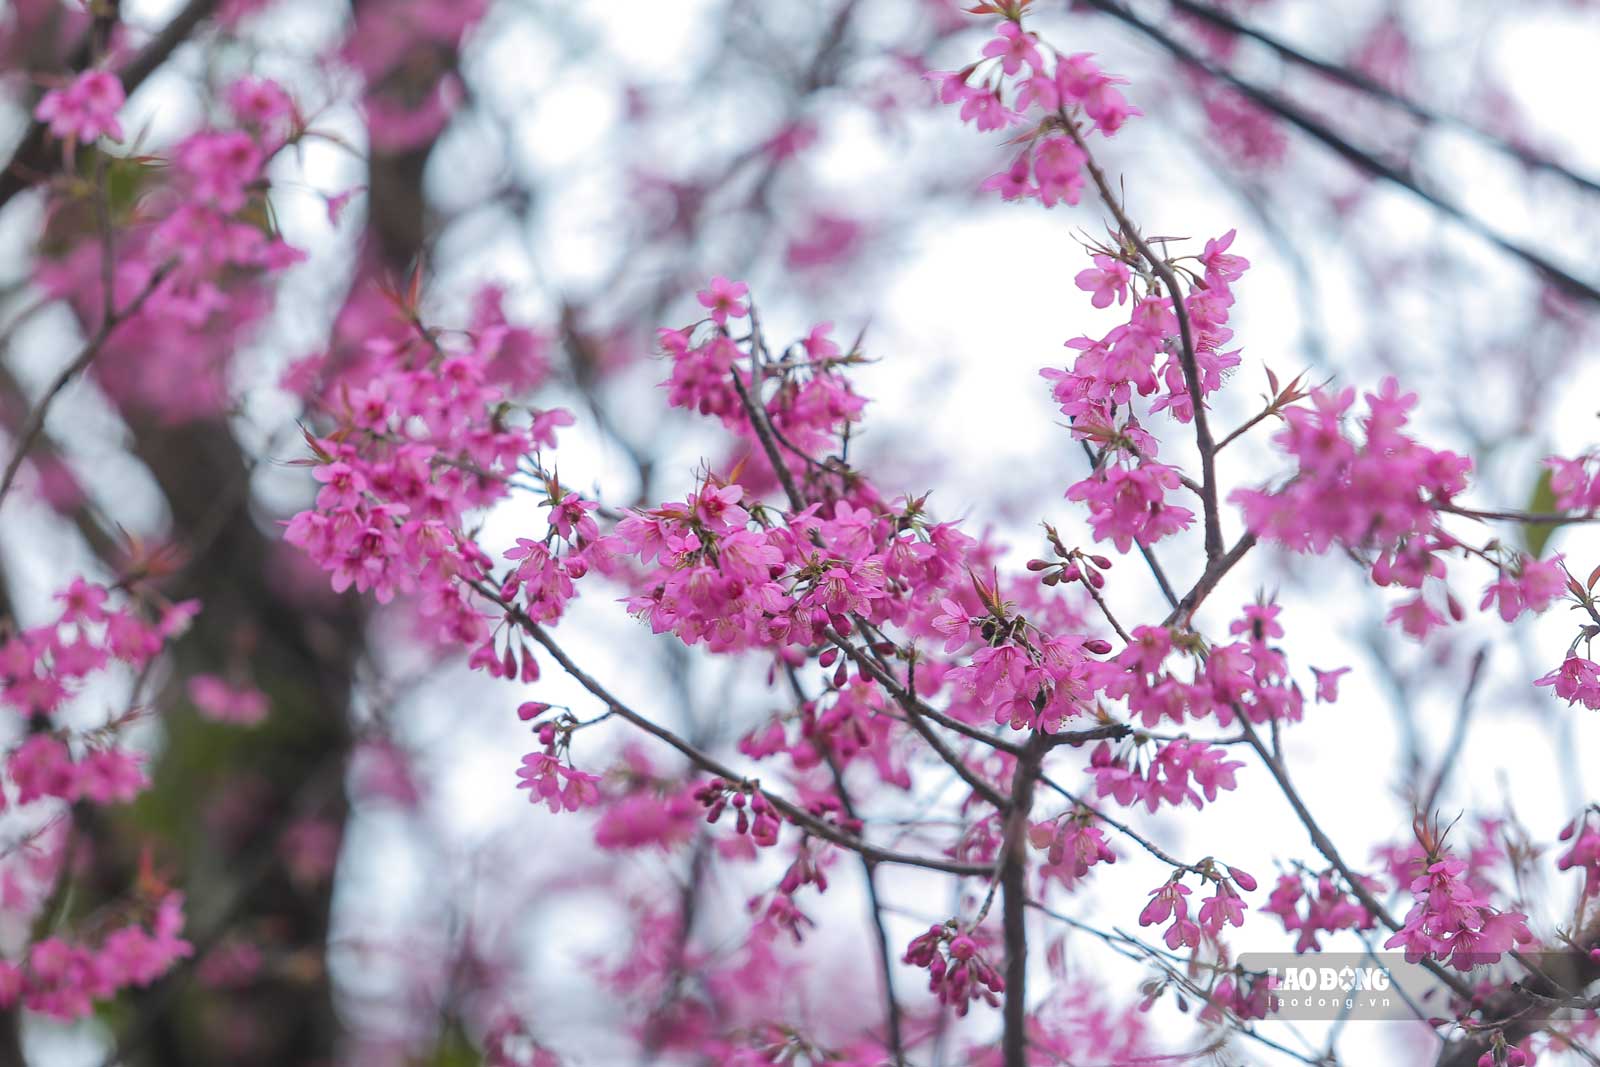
428, 438
